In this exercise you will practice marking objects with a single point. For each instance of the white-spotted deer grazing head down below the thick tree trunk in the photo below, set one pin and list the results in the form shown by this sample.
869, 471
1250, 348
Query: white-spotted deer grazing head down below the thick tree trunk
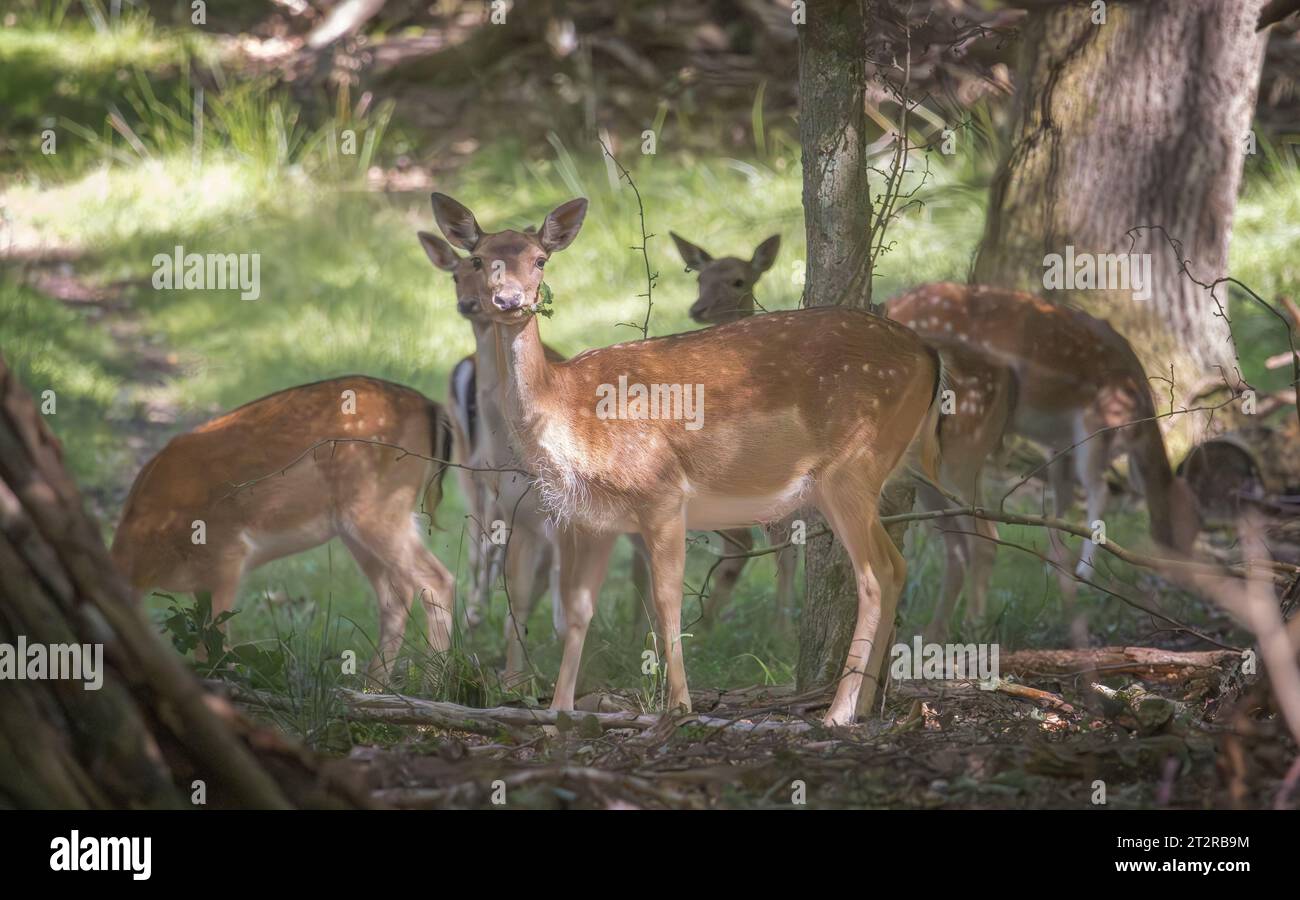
1072, 375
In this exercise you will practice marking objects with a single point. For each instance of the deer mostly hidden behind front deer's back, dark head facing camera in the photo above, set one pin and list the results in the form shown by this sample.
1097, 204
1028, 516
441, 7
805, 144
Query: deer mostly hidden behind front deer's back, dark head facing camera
727, 295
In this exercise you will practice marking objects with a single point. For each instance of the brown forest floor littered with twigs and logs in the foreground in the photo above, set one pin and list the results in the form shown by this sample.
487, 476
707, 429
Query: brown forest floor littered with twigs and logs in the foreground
937, 746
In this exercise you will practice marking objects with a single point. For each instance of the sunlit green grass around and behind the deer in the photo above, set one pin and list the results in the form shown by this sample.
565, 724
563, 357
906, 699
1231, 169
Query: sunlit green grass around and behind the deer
345, 288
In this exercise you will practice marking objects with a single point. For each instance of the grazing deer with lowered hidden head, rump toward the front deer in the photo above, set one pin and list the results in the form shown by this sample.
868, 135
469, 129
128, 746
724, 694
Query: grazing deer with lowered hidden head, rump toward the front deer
268, 481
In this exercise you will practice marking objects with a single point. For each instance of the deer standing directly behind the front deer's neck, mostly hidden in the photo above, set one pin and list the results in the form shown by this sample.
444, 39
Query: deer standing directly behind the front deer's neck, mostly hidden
495, 491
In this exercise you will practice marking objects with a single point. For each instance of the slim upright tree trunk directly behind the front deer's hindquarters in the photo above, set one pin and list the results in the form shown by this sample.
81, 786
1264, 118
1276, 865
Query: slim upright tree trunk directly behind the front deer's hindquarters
834, 137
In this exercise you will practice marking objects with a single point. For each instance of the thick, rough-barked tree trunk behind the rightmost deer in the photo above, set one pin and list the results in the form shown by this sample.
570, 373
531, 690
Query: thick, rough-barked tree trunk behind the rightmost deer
1139, 122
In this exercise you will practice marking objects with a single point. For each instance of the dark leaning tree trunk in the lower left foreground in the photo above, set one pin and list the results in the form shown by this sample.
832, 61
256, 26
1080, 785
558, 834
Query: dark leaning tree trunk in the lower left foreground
150, 732
